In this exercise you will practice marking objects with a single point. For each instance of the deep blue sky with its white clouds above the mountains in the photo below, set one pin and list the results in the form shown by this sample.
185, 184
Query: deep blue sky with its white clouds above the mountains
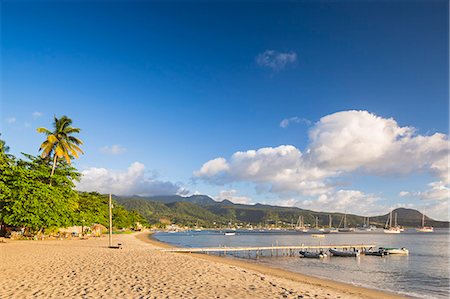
172, 86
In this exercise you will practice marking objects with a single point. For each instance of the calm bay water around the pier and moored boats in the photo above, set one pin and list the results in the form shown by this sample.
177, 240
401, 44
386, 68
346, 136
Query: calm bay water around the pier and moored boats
423, 274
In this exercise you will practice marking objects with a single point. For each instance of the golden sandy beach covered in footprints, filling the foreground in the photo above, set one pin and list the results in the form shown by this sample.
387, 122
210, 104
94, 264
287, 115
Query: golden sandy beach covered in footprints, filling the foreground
88, 269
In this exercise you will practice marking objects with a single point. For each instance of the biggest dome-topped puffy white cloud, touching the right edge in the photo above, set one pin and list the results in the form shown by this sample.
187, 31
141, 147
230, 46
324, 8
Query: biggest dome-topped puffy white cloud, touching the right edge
351, 140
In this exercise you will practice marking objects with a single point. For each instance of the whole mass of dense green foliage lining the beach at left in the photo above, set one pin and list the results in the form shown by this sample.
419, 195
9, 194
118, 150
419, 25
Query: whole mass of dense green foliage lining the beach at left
29, 201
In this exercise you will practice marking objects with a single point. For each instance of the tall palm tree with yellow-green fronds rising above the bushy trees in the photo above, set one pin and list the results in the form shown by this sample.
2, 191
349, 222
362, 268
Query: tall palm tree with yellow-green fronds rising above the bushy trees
60, 143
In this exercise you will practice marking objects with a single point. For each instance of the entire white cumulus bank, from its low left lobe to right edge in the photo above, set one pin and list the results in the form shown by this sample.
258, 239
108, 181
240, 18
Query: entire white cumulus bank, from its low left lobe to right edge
339, 144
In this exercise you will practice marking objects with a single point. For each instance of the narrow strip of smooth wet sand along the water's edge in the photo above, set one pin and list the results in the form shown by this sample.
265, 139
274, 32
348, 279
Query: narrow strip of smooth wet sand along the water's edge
362, 292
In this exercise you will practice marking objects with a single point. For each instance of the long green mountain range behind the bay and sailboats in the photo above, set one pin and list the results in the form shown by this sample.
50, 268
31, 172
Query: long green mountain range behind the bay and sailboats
205, 211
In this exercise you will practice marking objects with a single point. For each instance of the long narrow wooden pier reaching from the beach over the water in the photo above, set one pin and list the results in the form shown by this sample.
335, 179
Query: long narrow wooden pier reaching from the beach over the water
277, 250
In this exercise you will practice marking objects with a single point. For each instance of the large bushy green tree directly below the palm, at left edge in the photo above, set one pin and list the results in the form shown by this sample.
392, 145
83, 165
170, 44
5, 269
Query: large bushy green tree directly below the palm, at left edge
31, 202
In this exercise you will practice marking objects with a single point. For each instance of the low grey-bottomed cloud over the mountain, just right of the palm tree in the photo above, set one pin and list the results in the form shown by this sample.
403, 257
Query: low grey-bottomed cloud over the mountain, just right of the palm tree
132, 181
